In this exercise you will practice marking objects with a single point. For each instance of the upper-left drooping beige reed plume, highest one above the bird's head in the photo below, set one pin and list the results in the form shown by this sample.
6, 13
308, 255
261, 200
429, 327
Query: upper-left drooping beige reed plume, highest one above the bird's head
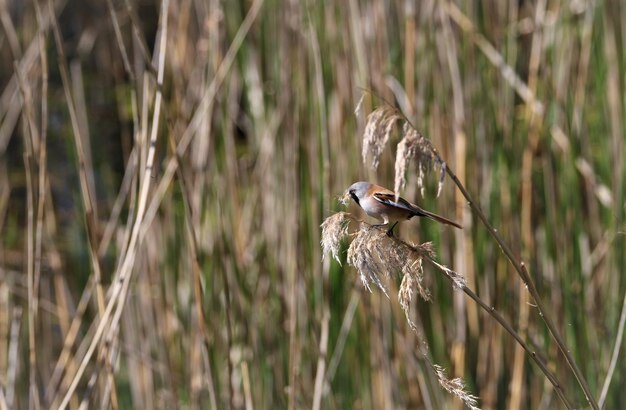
378, 129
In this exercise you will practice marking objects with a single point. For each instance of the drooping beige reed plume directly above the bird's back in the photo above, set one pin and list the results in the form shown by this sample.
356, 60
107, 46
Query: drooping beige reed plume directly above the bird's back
414, 146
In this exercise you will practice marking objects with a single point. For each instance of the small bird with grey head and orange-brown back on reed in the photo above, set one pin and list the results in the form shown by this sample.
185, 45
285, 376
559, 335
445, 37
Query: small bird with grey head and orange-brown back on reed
380, 203
